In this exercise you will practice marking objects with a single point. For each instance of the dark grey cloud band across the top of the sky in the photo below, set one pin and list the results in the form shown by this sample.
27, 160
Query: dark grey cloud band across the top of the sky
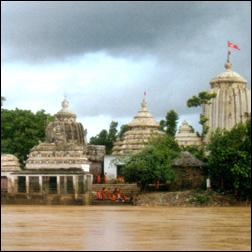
55, 30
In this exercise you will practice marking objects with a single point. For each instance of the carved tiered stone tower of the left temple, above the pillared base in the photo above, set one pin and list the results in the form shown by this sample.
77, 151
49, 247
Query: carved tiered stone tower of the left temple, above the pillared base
64, 146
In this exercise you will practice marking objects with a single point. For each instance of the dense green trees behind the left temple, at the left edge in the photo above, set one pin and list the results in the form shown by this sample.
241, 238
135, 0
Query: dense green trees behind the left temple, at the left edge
21, 130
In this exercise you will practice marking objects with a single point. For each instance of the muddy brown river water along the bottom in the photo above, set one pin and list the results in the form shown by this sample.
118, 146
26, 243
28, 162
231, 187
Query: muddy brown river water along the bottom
124, 228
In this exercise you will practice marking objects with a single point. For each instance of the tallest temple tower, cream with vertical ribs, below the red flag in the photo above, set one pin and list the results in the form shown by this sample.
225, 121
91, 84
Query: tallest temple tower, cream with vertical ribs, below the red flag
232, 103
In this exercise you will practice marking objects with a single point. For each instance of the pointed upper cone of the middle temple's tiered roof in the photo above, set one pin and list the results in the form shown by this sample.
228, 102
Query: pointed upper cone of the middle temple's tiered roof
143, 118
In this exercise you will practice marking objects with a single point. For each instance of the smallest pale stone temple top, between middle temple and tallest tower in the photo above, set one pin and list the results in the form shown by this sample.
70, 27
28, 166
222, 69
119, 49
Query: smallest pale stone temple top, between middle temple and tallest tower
186, 137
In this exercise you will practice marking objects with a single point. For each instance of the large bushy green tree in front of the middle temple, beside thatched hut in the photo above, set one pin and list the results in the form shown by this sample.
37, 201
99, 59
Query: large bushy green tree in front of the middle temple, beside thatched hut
153, 163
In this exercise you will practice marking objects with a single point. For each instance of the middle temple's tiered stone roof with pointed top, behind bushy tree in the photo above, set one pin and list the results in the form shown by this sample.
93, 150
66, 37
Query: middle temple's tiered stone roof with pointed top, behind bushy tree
141, 129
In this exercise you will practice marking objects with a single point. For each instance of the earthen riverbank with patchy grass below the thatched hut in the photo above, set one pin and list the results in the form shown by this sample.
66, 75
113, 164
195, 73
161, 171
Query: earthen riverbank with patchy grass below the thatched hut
190, 198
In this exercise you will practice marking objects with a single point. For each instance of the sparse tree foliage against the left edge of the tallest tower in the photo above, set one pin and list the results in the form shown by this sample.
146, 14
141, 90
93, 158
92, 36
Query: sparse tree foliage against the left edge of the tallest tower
196, 101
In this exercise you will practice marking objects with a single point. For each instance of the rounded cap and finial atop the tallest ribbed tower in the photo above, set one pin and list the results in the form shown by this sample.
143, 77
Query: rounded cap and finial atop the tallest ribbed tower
228, 76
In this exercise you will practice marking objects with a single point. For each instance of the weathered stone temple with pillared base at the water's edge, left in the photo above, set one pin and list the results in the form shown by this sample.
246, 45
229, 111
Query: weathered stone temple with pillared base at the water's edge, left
58, 169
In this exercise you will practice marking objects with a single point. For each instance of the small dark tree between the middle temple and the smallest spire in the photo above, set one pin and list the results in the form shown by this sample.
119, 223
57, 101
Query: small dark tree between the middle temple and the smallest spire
169, 125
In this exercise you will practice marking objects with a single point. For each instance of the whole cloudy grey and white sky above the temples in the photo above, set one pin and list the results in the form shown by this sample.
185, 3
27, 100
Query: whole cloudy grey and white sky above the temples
104, 55
